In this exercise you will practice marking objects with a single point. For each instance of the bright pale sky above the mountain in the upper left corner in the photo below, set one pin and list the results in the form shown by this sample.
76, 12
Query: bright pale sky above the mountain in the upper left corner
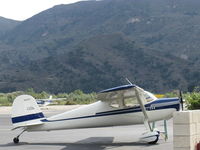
24, 9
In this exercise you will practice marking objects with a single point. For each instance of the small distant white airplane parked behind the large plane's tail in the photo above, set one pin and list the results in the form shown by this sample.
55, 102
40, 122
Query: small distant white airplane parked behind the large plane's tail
46, 102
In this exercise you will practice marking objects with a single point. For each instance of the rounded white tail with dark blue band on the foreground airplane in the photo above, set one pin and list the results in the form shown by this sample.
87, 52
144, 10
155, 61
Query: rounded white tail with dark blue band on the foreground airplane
25, 112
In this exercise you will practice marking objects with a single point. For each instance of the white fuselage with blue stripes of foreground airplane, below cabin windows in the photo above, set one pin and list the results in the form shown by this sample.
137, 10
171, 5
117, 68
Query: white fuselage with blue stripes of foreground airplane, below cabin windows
101, 114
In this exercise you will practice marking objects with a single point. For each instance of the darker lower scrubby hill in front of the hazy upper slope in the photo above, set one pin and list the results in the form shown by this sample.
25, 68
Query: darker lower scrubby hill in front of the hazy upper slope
101, 62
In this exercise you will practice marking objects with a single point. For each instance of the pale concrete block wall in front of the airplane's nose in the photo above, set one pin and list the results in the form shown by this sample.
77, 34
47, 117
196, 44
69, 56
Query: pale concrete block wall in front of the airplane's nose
186, 128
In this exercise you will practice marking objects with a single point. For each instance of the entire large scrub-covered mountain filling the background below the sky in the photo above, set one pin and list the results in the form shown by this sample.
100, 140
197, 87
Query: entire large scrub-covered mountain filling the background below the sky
92, 45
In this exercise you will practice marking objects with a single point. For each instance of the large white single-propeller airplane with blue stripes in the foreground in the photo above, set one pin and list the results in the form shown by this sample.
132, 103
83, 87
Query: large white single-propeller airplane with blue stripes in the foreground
123, 105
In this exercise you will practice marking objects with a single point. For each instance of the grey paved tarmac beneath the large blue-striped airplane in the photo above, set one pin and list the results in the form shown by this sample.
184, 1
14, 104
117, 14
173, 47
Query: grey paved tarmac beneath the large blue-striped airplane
111, 138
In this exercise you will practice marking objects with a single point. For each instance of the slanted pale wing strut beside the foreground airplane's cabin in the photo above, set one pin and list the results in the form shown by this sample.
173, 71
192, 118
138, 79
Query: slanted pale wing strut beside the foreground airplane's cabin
146, 118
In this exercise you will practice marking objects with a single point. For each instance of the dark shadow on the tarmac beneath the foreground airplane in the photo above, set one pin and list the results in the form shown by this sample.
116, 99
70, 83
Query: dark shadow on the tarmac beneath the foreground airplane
97, 143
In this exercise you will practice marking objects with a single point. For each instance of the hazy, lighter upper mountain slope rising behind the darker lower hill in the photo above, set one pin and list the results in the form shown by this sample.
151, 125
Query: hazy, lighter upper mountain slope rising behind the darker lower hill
158, 24
